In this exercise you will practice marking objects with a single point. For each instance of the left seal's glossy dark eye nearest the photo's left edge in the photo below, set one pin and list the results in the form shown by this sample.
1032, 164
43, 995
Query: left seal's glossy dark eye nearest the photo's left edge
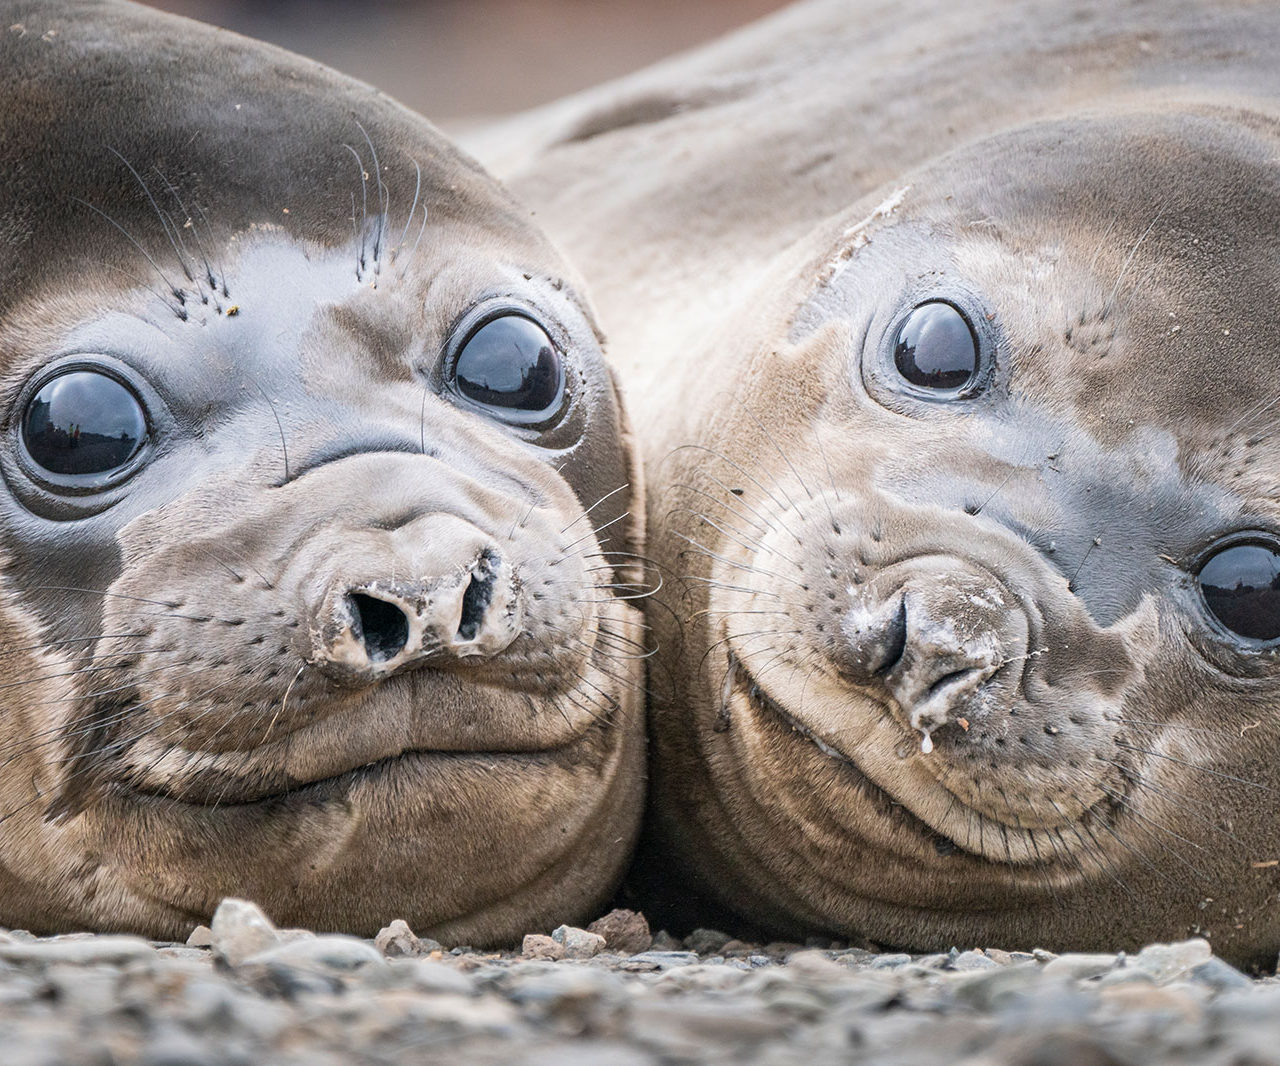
84, 423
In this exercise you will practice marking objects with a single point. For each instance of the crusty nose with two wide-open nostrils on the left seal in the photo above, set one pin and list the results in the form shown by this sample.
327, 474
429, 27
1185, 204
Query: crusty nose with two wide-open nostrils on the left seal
374, 628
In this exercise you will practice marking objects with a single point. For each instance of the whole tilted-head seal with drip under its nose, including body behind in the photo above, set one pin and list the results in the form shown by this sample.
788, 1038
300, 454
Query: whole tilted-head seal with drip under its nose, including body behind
953, 340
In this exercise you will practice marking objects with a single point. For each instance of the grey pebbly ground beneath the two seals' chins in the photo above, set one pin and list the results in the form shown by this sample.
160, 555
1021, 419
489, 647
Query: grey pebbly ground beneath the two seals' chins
245, 992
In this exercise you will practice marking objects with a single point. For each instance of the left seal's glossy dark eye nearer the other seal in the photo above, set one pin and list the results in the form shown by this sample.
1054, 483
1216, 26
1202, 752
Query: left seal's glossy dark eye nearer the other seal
511, 365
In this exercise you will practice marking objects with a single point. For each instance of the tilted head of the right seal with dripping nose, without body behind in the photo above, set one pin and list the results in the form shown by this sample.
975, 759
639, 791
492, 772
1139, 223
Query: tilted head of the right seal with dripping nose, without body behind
982, 634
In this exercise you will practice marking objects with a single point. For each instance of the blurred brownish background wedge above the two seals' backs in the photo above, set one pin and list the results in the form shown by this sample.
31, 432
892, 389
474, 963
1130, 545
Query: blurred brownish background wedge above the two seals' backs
452, 60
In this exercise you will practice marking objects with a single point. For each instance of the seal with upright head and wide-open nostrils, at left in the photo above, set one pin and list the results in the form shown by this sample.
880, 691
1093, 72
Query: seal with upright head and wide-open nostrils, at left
314, 529
